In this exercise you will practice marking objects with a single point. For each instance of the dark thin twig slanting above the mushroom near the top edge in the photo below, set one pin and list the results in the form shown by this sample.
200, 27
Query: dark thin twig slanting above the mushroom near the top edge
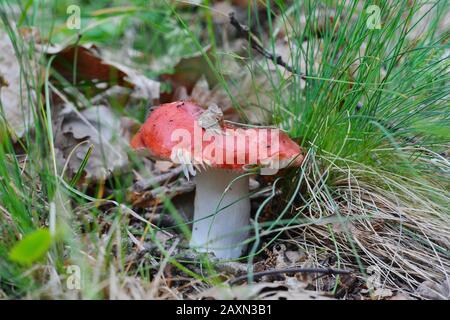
244, 32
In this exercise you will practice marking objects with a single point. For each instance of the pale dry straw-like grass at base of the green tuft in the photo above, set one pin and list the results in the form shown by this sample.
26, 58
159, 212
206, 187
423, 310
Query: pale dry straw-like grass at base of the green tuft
402, 233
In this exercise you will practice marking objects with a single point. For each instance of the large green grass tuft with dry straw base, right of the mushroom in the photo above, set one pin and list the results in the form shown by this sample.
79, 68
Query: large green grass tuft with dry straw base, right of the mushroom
359, 112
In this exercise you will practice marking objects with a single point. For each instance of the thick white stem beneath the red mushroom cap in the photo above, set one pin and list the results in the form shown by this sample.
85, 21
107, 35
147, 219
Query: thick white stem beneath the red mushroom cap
221, 213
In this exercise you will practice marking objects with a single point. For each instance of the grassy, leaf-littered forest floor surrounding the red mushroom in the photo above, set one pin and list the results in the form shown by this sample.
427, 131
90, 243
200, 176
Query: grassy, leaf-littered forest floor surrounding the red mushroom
364, 90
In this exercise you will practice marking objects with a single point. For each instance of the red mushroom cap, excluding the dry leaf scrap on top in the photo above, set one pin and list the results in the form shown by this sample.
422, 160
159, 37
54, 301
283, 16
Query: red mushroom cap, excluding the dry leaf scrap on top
233, 147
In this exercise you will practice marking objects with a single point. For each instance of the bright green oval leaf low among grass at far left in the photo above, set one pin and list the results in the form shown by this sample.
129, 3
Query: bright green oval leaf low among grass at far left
32, 247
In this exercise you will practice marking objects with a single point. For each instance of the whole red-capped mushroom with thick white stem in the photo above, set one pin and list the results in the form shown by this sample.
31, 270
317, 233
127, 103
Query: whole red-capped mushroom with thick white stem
222, 156
